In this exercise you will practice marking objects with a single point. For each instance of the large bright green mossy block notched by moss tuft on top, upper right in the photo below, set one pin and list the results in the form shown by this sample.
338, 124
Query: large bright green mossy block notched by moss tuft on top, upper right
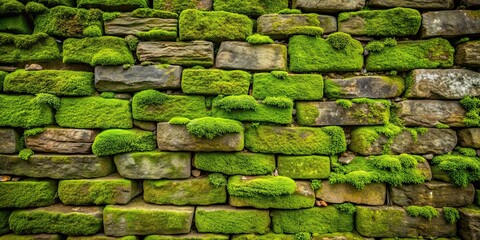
313, 54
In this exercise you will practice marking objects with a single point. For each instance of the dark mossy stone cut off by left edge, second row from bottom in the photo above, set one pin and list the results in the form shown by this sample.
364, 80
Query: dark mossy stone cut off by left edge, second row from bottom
28, 193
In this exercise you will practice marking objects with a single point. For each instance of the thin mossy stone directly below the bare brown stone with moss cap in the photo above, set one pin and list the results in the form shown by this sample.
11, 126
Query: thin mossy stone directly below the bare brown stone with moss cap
235, 163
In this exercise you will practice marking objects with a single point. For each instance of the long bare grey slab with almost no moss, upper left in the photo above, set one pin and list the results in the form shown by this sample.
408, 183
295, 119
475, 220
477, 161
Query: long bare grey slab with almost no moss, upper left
137, 78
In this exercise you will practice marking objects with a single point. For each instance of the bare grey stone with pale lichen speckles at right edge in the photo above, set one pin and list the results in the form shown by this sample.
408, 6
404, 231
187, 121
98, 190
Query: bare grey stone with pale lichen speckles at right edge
444, 84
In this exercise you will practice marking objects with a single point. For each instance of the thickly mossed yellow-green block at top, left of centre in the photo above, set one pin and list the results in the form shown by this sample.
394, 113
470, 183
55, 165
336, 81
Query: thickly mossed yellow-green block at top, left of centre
214, 26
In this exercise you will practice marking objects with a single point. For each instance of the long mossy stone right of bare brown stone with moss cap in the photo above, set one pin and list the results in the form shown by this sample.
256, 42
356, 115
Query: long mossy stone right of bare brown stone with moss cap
295, 140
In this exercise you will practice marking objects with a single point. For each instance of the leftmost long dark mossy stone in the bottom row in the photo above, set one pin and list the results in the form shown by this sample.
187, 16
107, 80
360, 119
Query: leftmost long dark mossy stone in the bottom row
57, 218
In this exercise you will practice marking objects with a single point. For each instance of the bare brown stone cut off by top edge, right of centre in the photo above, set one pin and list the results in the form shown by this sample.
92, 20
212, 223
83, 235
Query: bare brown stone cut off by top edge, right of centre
328, 6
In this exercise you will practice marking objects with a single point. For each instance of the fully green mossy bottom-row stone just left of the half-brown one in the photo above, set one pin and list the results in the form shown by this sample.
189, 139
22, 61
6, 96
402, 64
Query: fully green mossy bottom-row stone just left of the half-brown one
314, 220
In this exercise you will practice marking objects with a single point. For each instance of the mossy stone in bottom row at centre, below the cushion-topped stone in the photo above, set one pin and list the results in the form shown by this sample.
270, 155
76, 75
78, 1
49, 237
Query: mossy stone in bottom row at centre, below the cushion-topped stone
229, 220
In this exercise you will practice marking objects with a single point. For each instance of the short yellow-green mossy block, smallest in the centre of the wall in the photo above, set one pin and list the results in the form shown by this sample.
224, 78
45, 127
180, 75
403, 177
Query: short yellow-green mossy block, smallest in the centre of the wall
304, 167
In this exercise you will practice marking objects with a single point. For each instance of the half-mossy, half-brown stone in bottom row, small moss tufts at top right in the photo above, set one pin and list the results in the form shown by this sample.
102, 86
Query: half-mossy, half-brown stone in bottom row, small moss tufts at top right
395, 222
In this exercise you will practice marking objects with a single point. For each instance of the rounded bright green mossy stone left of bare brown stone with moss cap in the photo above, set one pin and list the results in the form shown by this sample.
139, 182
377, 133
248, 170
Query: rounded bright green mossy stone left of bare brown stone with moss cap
115, 141
